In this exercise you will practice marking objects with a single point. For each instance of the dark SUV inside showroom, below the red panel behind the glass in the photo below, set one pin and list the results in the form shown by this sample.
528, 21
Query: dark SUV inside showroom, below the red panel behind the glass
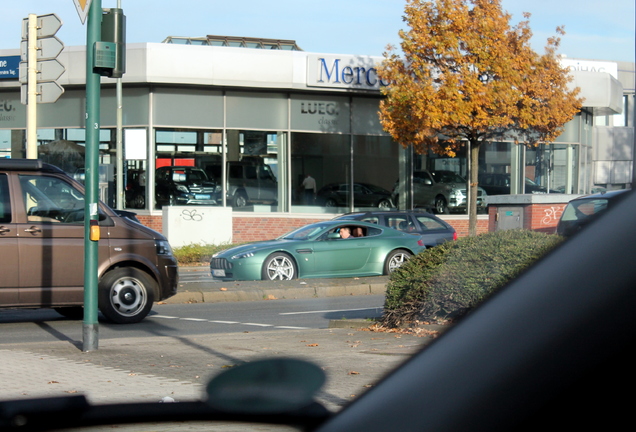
183, 185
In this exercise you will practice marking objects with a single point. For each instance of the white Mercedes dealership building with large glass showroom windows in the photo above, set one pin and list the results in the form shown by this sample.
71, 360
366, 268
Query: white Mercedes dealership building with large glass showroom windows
264, 114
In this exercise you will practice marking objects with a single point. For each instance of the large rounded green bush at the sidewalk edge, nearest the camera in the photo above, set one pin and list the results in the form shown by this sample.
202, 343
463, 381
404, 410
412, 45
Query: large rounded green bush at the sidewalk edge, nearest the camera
449, 280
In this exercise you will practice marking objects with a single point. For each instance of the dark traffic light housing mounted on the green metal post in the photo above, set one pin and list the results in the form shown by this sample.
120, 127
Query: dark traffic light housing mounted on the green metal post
110, 52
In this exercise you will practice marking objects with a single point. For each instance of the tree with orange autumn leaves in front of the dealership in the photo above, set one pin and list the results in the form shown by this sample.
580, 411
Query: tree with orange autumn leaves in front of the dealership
468, 77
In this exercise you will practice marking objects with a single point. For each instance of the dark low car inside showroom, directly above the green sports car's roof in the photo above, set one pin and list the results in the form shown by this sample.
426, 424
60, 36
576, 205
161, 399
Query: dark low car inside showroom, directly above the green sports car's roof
364, 195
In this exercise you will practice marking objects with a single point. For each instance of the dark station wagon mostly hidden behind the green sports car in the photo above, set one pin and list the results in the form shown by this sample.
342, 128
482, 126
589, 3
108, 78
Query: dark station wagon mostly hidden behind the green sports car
433, 230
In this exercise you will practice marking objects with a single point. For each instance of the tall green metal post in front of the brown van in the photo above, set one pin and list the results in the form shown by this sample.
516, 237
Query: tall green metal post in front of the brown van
90, 328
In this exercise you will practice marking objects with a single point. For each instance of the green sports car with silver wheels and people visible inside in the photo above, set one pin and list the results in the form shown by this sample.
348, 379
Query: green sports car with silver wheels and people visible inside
337, 248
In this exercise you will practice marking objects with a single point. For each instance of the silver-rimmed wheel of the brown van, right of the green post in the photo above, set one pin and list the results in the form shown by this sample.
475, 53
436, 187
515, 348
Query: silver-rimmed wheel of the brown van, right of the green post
126, 295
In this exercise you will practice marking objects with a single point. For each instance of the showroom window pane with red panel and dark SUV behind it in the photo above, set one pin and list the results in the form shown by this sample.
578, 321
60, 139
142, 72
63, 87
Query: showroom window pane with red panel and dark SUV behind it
185, 161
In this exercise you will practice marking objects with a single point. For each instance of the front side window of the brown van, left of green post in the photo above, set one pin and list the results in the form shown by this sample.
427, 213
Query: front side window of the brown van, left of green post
51, 200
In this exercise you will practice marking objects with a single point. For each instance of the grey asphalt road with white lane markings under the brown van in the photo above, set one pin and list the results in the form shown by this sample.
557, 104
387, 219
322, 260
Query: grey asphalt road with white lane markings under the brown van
186, 320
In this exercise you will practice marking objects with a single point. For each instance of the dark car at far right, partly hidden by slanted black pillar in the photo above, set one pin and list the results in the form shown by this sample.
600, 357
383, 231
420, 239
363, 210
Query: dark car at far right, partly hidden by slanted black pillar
581, 211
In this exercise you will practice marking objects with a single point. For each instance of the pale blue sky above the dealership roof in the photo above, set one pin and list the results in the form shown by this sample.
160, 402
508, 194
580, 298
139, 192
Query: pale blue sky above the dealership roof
595, 29
